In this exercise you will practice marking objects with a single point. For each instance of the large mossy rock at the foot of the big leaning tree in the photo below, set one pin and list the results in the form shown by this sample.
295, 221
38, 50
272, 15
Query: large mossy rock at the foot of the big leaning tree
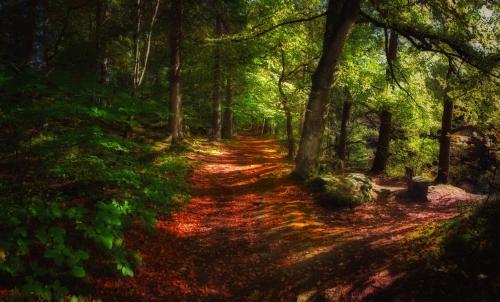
342, 191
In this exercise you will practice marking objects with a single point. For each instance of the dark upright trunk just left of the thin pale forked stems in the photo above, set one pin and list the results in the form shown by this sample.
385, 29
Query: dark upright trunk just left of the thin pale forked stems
102, 14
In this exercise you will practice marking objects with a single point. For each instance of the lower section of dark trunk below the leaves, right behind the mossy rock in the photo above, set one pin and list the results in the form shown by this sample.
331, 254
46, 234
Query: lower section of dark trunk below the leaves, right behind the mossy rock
382, 153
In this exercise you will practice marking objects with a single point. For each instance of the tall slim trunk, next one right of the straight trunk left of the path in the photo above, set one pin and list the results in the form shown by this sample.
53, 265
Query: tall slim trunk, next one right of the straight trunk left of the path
216, 93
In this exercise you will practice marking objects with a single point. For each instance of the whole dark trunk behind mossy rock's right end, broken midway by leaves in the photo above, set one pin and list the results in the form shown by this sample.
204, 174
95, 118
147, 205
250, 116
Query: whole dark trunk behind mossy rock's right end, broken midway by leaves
382, 152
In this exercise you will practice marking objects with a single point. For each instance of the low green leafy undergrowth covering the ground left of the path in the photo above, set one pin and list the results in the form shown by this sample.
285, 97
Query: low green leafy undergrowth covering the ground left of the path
73, 183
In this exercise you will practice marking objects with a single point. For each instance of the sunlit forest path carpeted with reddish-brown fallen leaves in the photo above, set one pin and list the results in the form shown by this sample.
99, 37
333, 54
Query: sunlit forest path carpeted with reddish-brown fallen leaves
252, 233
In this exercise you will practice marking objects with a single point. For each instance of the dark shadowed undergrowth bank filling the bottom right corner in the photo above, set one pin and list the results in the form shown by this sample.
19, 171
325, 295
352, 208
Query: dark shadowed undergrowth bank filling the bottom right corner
458, 260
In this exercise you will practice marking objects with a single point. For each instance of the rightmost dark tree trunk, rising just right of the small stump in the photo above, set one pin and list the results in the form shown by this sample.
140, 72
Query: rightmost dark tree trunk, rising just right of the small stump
444, 141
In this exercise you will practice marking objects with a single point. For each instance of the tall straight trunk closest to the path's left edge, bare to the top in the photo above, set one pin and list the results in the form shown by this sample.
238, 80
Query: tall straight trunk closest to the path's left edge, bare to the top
174, 121
